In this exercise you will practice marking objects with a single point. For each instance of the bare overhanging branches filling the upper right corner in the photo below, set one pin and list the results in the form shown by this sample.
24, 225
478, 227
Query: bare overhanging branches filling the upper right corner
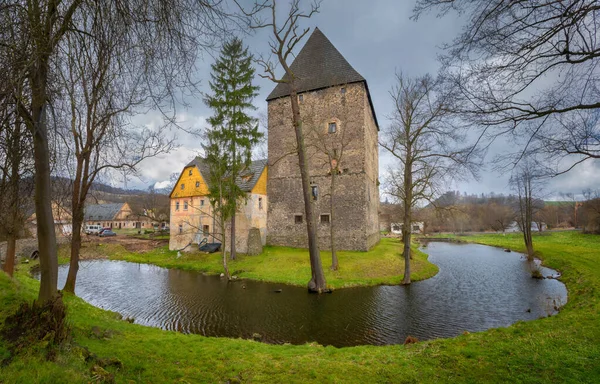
531, 69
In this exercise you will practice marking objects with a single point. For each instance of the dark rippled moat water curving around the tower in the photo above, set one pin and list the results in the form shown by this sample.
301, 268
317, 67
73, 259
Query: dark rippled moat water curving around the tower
477, 288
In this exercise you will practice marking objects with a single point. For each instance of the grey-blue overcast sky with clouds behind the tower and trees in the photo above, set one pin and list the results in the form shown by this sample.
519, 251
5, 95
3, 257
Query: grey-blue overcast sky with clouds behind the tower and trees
377, 38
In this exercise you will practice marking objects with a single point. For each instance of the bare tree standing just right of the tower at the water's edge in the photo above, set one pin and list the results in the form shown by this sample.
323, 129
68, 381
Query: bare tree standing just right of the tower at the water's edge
424, 140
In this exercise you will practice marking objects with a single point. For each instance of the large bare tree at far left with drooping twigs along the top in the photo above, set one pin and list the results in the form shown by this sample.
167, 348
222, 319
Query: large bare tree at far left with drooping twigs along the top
165, 35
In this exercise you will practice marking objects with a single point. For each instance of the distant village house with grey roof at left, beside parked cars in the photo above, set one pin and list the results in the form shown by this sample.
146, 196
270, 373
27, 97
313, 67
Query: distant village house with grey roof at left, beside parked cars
116, 216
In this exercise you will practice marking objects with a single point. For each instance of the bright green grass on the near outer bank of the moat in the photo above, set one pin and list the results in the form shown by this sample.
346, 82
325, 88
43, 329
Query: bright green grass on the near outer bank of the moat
559, 349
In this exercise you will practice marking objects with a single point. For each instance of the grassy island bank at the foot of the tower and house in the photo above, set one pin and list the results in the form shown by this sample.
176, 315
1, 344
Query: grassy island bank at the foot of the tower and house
381, 265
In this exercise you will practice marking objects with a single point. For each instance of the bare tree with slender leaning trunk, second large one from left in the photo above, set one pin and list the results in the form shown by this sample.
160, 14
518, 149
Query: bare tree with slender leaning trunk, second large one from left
101, 89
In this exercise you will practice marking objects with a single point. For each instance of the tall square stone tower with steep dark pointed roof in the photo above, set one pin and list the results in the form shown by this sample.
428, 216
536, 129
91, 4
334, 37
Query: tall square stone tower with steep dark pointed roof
339, 122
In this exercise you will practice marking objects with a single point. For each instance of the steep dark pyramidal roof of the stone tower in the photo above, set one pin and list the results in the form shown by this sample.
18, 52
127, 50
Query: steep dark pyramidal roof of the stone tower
320, 65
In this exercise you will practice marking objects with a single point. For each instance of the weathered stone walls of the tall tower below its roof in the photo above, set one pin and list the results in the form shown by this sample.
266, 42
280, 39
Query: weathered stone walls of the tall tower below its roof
356, 196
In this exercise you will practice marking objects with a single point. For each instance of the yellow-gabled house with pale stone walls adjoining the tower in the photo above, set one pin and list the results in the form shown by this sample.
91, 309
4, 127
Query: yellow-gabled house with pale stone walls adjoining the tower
192, 218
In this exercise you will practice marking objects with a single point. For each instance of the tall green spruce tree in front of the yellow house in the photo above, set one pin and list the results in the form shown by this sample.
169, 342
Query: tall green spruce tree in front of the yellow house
232, 129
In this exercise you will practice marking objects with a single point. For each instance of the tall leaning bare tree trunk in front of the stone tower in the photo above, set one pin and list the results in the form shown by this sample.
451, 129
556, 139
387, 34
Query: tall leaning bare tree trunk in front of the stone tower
317, 282
